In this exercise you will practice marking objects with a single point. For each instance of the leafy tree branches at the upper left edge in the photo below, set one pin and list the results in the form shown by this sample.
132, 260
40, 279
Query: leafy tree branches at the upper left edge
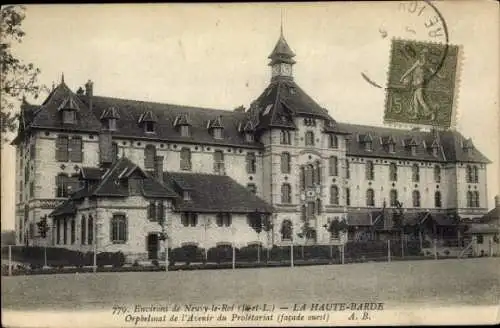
17, 78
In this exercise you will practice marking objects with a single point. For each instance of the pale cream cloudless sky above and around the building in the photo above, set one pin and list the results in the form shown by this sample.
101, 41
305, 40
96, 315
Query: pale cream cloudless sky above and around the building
215, 56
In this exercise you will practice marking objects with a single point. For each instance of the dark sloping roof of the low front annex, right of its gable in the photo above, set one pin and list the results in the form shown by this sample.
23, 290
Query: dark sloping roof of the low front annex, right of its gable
211, 193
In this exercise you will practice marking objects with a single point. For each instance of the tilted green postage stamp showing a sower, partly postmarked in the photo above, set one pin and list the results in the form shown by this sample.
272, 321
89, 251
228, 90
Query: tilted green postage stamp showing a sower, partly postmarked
421, 84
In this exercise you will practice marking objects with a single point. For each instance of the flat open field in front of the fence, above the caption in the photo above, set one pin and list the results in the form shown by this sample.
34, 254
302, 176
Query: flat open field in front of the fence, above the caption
422, 283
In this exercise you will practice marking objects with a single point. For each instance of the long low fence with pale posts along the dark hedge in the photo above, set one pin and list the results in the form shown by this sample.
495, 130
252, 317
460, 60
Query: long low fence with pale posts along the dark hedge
225, 256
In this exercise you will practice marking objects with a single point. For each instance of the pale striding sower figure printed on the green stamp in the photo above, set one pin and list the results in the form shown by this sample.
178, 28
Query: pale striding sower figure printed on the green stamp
415, 75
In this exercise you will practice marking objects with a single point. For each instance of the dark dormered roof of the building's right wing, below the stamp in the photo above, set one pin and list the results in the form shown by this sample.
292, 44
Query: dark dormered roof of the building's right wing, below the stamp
448, 142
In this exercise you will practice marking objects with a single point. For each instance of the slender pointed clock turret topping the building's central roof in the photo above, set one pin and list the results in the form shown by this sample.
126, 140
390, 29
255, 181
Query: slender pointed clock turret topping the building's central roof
282, 60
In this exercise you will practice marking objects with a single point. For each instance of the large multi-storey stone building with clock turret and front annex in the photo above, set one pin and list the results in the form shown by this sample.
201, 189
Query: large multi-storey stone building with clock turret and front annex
108, 171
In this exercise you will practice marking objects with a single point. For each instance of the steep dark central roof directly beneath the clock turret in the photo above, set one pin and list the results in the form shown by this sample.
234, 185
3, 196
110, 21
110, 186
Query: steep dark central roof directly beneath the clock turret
281, 101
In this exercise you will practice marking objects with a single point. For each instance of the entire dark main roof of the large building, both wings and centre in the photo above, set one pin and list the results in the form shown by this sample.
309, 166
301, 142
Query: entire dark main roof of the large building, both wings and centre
281, 101
